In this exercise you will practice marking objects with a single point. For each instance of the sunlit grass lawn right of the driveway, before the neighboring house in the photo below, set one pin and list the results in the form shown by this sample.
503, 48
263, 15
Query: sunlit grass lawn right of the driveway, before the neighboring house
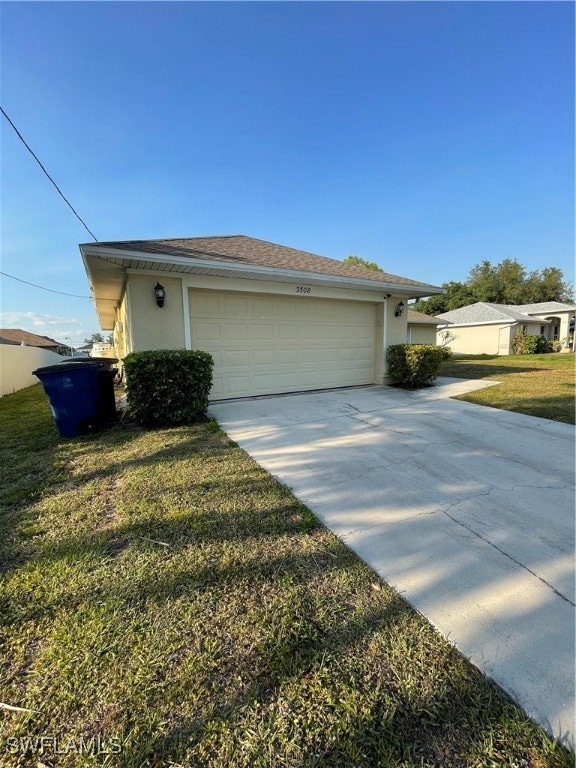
539, 385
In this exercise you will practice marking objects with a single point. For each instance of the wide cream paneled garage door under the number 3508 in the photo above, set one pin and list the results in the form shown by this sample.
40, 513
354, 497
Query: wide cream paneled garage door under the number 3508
264, 344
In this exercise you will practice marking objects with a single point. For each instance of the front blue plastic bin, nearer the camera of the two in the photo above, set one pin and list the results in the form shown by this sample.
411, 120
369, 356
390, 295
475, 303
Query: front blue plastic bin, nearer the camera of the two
74, 393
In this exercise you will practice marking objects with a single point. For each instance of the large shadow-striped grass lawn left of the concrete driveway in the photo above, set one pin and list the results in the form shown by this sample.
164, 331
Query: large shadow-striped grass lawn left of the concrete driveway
165, 600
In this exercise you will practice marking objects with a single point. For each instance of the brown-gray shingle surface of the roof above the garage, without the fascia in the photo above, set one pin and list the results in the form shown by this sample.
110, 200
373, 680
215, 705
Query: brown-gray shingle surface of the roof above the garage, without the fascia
241, 249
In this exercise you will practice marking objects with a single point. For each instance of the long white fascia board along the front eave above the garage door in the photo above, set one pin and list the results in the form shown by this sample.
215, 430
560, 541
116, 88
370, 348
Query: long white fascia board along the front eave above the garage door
399, 289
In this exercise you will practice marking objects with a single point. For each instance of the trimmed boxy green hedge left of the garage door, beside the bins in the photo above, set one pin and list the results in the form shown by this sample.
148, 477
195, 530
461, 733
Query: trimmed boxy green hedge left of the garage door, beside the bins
168, 386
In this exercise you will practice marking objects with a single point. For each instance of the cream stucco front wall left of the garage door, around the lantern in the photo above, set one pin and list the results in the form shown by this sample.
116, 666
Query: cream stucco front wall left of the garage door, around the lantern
153, 327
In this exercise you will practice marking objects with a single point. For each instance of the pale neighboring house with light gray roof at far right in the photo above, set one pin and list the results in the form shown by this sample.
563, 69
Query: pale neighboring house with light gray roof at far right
484, 328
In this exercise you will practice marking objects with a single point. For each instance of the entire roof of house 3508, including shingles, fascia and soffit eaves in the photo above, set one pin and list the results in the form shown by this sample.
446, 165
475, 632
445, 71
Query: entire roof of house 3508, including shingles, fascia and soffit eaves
232, 256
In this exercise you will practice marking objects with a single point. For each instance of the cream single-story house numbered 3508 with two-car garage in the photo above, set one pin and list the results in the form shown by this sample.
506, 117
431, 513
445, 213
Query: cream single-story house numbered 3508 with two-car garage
274, 318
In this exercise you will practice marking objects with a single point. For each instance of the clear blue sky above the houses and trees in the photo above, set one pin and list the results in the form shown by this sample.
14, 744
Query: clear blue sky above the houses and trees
425, 136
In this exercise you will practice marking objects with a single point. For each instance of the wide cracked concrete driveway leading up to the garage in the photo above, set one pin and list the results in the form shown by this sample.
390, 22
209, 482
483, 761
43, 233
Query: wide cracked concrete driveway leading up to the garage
467, 511
